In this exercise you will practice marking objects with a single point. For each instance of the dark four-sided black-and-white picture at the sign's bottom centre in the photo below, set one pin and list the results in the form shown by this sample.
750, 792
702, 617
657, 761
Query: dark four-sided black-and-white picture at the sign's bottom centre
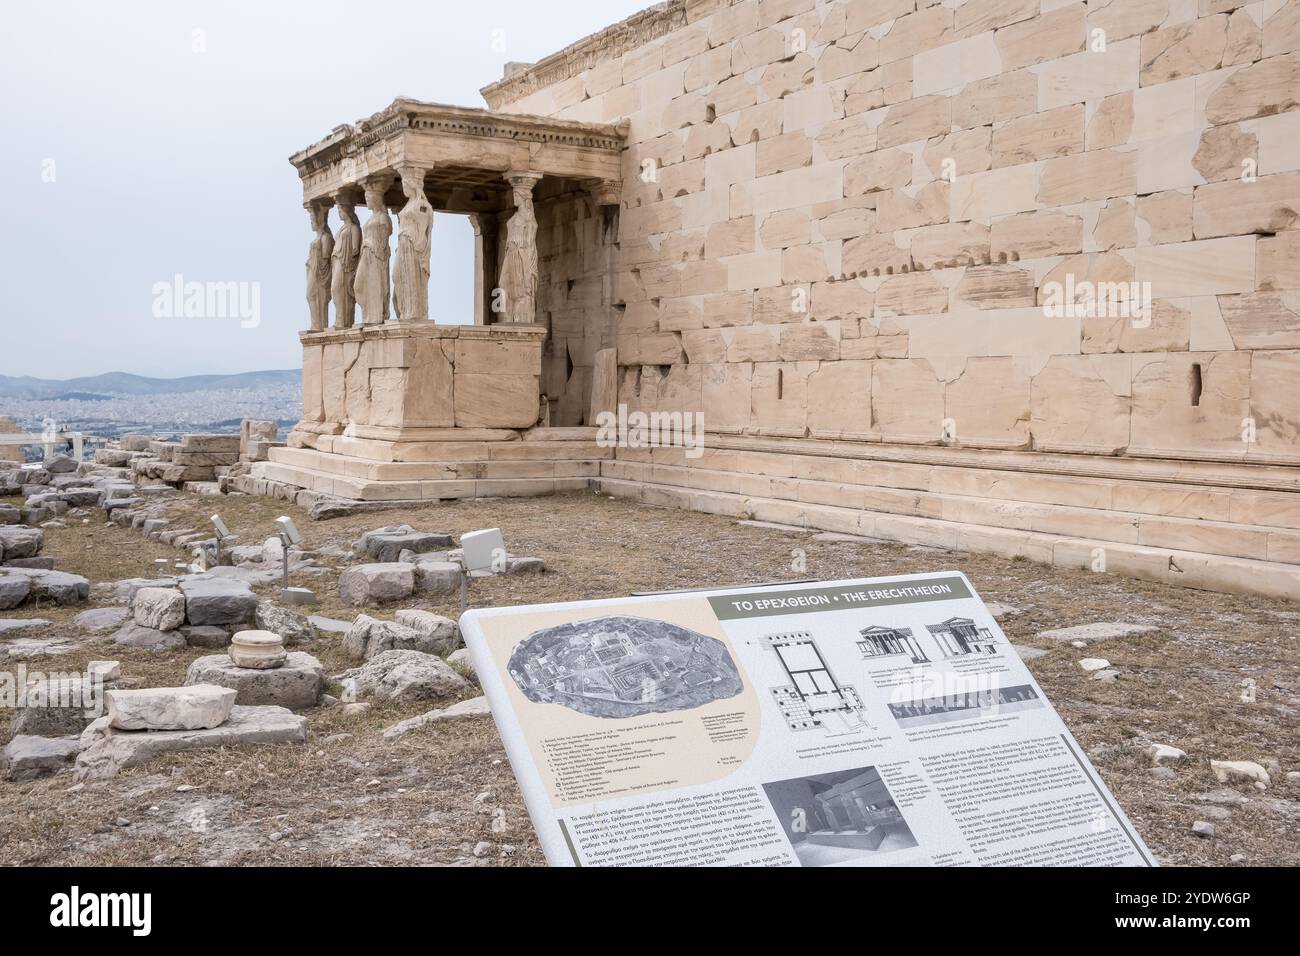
842, 817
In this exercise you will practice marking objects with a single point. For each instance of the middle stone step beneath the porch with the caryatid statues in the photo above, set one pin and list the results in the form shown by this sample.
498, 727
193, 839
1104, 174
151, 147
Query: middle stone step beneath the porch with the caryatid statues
369, 470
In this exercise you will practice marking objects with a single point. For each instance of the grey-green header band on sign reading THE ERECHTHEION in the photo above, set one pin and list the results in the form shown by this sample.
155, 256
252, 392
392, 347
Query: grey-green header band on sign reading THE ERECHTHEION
770, 604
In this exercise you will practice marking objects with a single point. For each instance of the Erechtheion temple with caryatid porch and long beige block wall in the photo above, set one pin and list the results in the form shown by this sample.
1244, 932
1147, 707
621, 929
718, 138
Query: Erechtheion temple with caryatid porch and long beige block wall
1020, 276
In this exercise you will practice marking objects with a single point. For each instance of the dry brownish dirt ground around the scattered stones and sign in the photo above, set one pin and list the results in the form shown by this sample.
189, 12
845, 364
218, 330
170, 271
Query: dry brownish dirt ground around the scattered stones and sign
350, 797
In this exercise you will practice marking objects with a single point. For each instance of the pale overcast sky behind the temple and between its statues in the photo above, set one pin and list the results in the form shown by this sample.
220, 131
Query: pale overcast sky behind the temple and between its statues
150, 140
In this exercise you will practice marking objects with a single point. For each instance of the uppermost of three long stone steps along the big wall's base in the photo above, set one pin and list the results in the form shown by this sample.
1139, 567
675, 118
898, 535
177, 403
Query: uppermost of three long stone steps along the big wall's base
1165, 499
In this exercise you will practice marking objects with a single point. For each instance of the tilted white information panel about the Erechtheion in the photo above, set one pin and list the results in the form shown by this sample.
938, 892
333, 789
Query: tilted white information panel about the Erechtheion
876, 723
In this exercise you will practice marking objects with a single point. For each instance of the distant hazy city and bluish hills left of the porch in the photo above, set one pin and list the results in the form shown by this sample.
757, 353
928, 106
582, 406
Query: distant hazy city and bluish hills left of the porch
150, 408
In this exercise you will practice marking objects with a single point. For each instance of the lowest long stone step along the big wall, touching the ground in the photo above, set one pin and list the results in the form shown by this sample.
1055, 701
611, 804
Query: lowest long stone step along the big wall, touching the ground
1165, 566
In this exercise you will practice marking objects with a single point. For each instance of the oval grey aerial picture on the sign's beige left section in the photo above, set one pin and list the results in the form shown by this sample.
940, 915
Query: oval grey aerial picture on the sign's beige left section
623, 667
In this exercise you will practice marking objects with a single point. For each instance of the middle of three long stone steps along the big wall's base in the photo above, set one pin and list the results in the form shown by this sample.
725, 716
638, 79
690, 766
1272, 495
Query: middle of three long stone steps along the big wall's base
1258, 543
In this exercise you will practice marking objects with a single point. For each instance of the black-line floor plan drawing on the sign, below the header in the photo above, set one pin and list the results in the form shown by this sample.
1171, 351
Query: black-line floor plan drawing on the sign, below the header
814, 699
